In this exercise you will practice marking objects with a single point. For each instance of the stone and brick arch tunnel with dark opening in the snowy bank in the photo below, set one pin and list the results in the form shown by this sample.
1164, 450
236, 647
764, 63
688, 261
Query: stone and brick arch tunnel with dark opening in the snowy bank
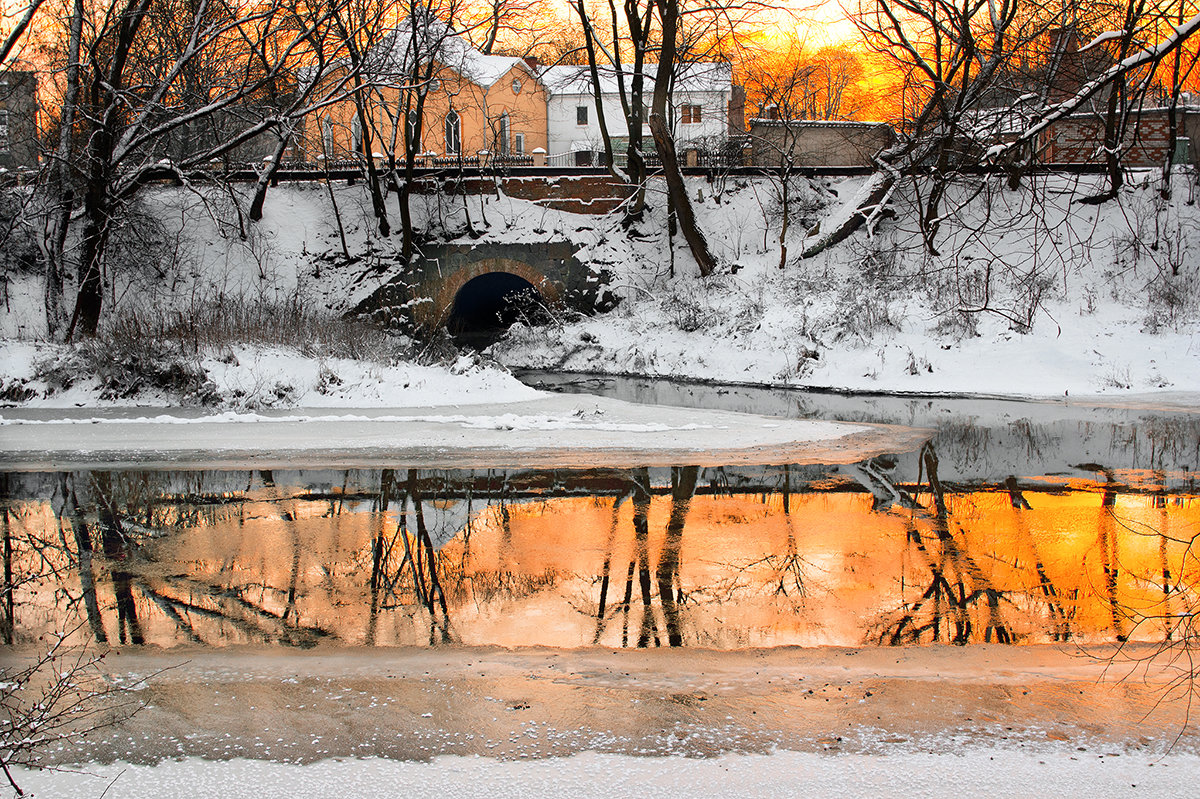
478, 291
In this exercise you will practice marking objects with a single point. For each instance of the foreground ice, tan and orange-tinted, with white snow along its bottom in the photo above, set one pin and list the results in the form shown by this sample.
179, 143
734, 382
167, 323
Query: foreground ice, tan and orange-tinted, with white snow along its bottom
929, 722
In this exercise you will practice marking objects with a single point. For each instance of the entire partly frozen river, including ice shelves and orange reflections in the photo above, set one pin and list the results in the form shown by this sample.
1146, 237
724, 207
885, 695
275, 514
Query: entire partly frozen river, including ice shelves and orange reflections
945, 602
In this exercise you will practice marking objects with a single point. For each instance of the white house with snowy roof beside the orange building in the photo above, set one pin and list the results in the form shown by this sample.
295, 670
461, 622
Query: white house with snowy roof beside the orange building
700, 115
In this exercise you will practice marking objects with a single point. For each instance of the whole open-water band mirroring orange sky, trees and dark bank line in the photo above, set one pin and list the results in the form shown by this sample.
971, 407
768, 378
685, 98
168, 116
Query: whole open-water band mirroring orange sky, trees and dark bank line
712, 557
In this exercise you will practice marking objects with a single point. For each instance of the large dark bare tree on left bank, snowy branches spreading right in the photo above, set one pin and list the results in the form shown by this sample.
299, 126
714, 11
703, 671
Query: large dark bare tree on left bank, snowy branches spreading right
151, 105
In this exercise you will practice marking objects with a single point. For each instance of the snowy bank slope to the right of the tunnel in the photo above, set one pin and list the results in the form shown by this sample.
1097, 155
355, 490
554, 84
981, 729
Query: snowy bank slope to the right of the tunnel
1030, 296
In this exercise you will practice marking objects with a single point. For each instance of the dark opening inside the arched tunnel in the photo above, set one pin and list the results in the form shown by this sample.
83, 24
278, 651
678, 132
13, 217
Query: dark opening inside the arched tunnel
487, 307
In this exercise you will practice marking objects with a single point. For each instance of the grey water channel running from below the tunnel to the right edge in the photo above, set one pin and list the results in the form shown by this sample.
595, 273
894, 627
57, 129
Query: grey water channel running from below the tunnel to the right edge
980, 441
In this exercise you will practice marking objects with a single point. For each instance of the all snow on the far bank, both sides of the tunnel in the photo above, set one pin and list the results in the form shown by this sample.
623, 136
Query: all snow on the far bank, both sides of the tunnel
1030, 293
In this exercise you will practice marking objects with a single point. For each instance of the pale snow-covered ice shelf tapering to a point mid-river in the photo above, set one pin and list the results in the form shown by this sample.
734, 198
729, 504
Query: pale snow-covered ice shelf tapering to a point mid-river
553, 430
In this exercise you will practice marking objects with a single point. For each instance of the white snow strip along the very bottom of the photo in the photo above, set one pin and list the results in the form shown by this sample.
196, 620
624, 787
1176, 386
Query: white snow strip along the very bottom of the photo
986, 772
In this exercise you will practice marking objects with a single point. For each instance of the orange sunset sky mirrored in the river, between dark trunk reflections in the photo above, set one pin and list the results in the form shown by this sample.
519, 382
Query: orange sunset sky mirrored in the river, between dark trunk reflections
533, 573
